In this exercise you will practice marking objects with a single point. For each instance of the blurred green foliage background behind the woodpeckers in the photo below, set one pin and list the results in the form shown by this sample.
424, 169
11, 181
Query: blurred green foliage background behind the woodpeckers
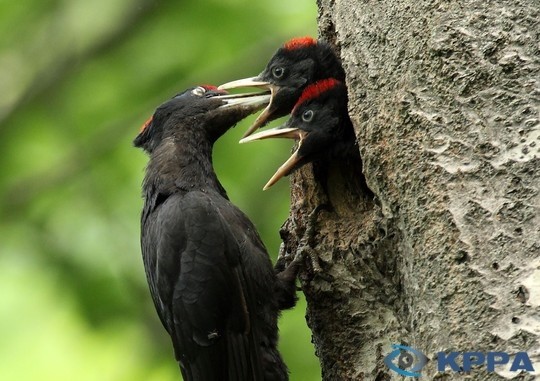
78, 79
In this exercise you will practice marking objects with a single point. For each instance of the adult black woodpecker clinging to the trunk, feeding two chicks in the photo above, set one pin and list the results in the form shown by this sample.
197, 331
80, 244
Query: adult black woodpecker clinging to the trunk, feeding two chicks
210, 276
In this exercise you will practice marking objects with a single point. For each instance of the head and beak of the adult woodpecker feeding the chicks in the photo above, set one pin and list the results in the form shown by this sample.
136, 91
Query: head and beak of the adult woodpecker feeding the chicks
203, 109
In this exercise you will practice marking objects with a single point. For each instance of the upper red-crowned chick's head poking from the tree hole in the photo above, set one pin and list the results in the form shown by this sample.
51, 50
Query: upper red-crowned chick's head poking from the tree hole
297, 64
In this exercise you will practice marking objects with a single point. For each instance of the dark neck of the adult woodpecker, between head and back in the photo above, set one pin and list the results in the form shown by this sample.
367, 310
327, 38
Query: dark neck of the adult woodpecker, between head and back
182, 164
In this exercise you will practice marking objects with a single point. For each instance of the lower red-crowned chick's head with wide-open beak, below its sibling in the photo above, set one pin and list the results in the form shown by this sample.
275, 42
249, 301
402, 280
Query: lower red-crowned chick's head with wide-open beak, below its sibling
319, 123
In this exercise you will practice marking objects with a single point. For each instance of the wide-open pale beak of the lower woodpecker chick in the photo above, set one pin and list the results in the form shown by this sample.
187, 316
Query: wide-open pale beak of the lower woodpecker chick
281, 132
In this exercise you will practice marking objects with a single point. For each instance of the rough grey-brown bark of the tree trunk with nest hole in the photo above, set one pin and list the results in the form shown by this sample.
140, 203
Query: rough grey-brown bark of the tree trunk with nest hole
444, 96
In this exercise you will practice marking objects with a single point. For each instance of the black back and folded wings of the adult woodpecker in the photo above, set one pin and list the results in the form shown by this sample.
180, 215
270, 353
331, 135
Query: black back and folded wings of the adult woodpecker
196, 271
